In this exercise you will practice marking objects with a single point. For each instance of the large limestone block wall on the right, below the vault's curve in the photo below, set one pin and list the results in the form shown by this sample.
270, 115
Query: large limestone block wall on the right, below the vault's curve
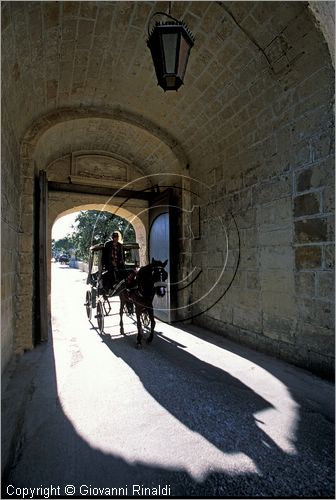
282, 298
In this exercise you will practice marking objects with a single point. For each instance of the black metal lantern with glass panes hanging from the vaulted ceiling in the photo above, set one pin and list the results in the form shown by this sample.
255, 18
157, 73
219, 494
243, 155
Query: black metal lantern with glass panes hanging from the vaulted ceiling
170, 44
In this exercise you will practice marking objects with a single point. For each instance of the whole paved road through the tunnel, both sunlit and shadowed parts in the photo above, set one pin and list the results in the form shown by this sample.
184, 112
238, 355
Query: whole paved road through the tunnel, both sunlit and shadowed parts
190, 415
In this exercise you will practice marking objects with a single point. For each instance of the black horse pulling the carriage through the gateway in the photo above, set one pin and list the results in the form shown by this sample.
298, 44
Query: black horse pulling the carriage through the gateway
148, 281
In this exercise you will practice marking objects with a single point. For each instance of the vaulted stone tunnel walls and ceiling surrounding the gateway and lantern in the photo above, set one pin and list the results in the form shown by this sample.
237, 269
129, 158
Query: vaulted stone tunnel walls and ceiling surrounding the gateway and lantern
248, 140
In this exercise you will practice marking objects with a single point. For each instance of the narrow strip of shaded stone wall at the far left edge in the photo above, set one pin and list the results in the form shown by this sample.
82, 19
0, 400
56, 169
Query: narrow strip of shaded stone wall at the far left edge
10, 229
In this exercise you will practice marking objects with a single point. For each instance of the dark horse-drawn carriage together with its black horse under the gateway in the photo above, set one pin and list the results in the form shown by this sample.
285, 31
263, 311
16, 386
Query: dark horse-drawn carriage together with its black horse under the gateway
135, 287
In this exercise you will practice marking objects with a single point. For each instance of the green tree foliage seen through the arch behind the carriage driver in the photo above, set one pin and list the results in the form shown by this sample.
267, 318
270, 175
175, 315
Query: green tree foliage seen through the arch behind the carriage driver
94, 226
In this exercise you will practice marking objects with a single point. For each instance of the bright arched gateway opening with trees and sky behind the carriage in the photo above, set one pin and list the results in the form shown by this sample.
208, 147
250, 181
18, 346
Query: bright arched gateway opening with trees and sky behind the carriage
71, 231
